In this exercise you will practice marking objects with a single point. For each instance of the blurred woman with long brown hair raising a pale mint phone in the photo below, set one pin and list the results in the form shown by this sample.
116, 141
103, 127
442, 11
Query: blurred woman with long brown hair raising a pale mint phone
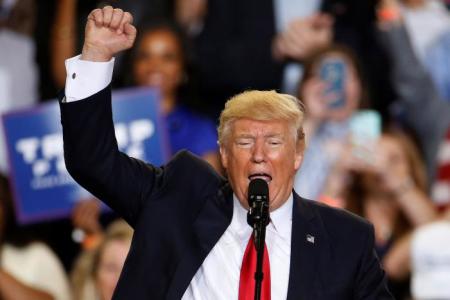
390, 192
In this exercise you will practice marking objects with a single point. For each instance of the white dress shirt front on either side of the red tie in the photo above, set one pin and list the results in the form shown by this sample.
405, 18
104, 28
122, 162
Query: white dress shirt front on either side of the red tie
218, 277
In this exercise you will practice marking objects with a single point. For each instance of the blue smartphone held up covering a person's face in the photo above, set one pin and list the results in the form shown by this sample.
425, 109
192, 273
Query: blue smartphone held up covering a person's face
333, 73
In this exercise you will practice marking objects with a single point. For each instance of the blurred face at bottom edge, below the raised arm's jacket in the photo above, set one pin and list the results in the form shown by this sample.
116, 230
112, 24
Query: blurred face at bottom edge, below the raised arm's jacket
110, 265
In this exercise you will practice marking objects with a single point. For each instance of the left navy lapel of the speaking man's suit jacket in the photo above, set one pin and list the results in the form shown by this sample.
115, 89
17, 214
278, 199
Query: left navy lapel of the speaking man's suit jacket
211, 223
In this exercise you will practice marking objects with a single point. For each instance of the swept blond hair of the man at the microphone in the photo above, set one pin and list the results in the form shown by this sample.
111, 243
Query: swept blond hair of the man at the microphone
262, 106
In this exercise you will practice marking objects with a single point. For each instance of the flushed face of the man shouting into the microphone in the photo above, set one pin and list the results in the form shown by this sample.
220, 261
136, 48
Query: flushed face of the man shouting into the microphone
262, 149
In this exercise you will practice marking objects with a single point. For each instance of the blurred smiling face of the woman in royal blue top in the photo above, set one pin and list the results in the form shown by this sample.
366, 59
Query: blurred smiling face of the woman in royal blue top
159, 62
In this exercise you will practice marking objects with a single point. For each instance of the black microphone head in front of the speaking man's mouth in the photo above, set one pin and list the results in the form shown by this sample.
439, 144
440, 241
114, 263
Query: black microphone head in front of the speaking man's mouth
258, 200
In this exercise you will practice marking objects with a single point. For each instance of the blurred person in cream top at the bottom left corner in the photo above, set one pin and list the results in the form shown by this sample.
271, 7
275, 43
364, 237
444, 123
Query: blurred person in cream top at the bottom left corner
28, 270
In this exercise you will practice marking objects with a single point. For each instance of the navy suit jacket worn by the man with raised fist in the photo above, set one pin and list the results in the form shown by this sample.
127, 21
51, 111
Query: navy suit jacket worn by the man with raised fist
180, 210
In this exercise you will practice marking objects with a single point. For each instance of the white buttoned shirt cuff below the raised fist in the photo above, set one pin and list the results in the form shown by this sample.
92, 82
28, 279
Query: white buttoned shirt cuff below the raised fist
86, 78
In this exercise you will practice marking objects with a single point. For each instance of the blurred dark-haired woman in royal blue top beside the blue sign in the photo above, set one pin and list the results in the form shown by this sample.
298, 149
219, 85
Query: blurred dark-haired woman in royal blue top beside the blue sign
161, 61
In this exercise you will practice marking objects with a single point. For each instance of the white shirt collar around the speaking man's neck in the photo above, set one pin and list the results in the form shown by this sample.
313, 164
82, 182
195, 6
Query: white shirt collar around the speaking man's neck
281, 218
